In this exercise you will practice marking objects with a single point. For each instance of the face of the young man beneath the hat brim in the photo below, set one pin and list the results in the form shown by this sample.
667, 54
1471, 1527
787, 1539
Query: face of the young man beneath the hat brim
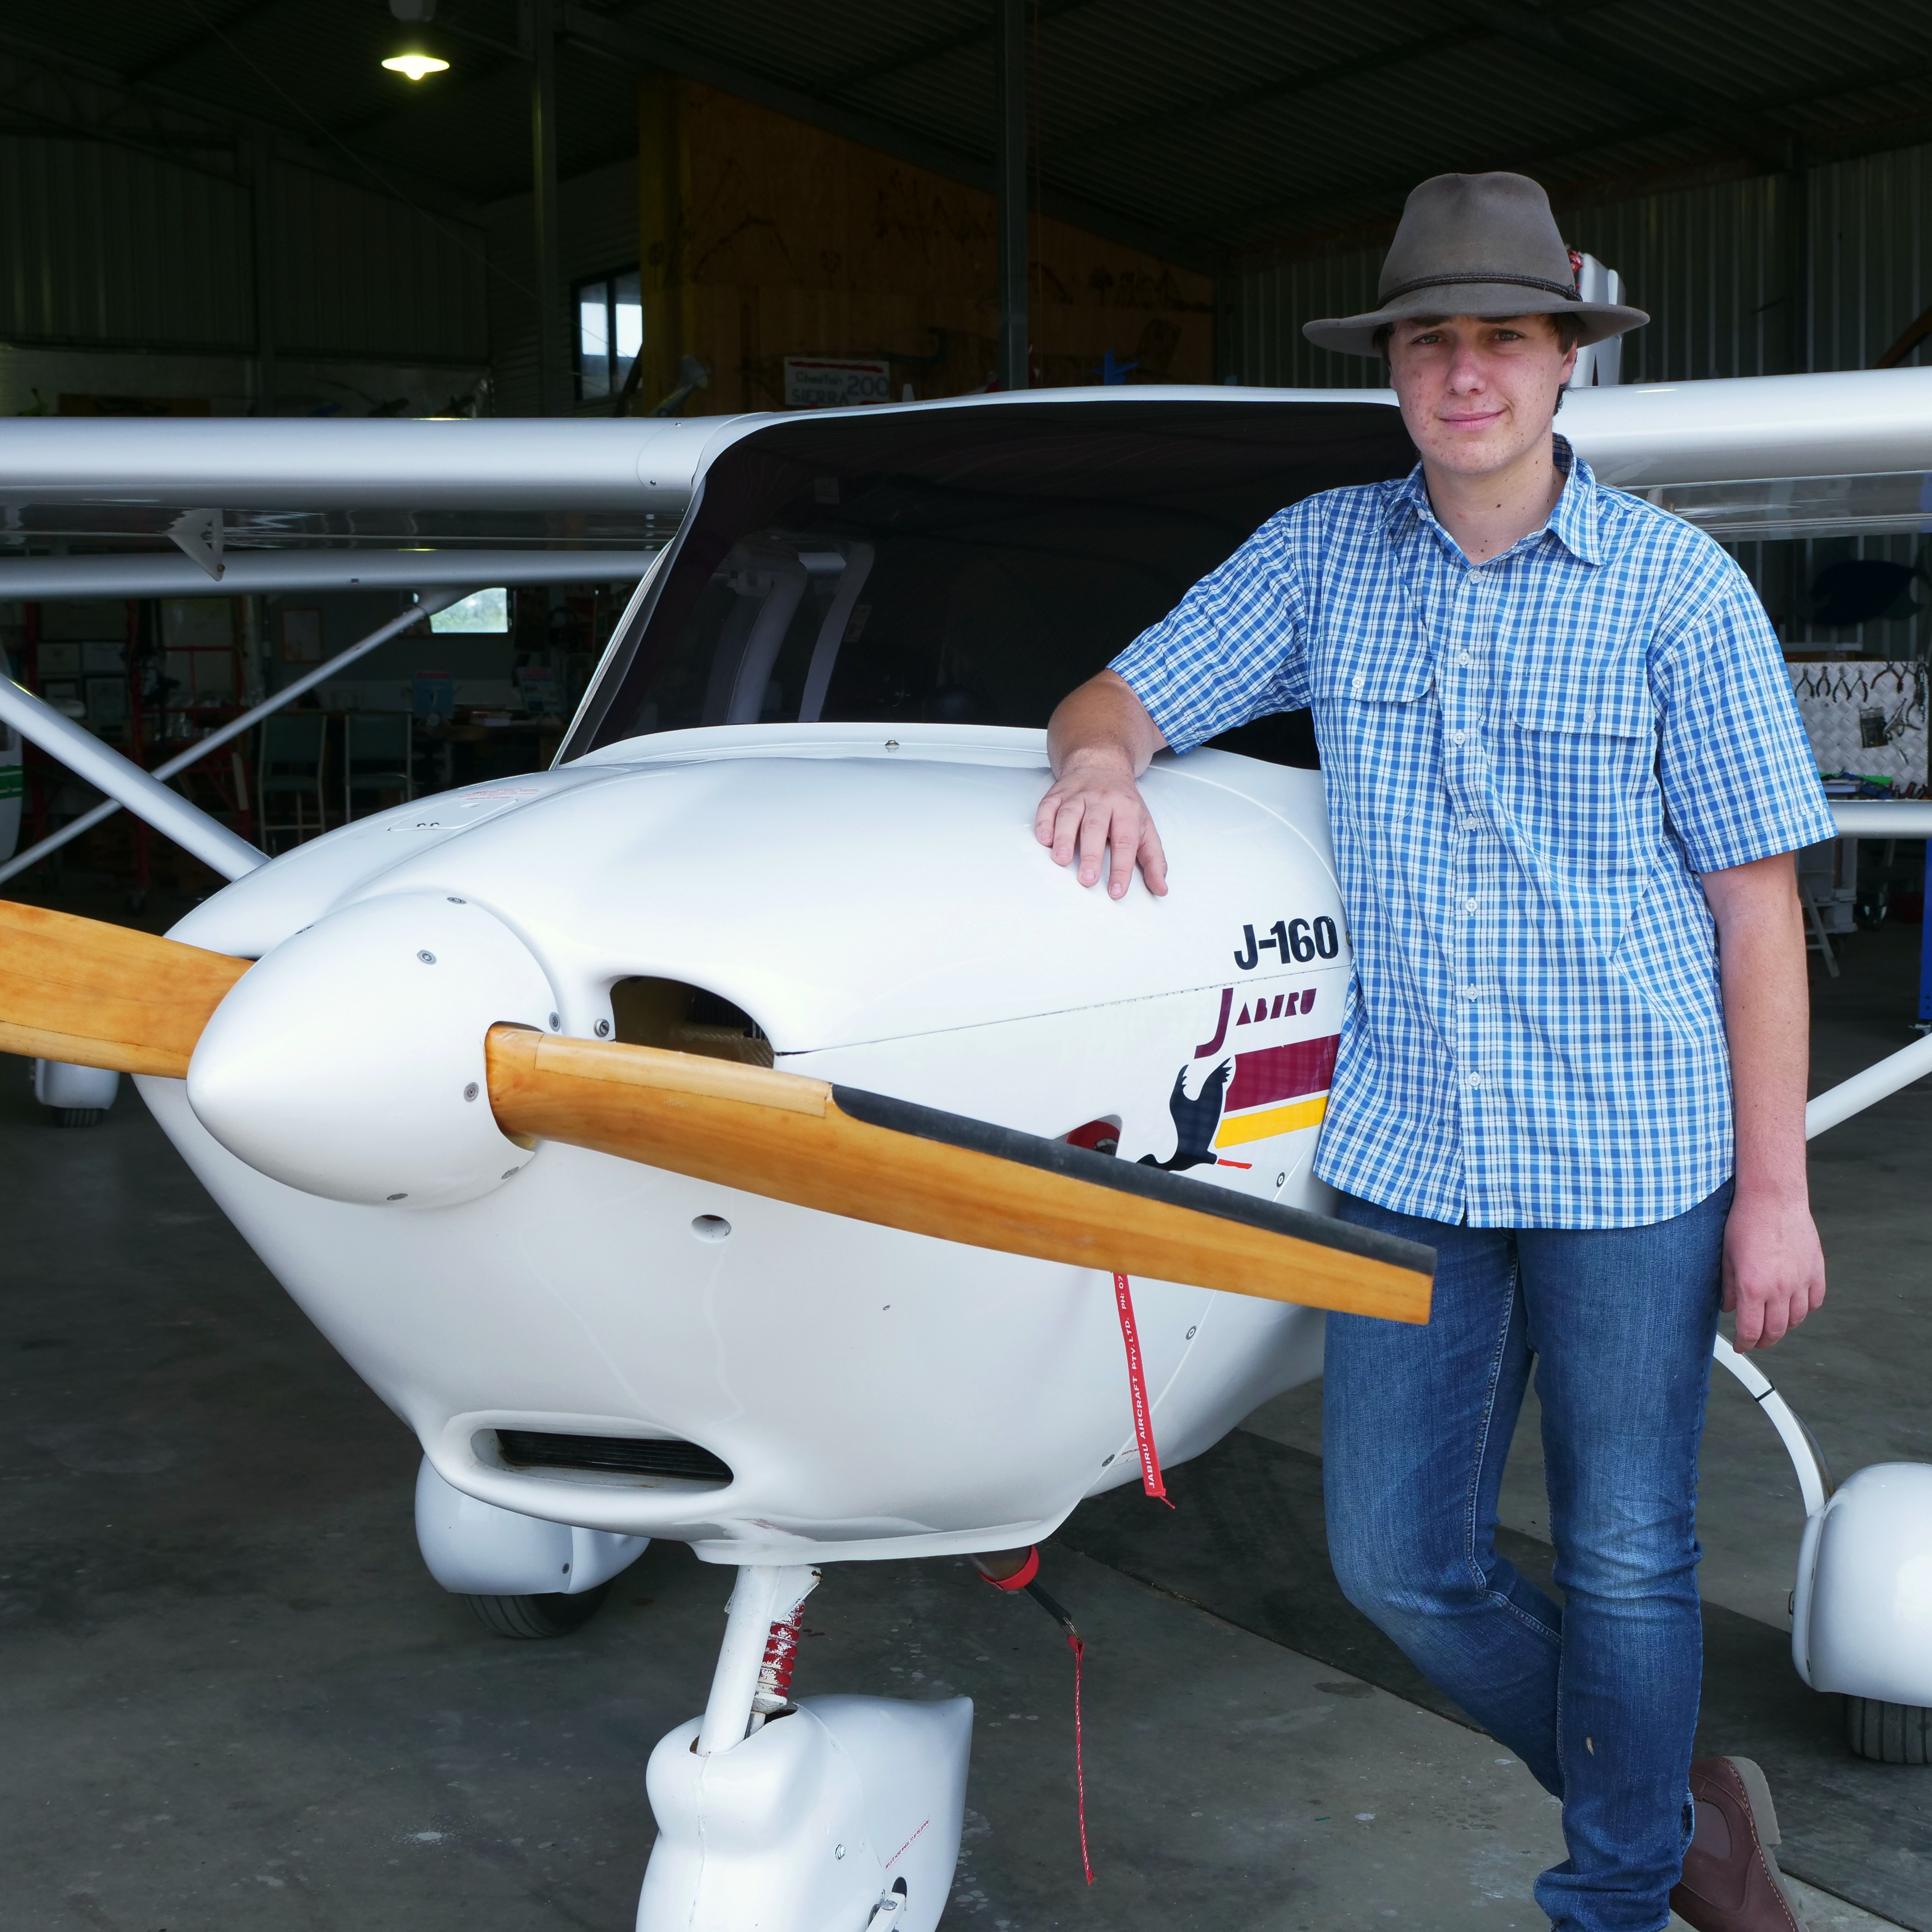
1479, 393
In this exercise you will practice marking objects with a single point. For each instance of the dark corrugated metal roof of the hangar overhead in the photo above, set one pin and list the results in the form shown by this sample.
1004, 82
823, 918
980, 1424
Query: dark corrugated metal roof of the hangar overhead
1230, 125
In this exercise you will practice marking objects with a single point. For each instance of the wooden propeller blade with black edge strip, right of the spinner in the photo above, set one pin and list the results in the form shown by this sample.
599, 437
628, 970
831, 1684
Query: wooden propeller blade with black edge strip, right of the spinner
894, 1164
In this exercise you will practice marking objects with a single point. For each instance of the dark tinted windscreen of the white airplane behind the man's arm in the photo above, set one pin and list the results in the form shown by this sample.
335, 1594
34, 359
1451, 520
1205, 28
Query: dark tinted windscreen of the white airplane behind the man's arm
963, 567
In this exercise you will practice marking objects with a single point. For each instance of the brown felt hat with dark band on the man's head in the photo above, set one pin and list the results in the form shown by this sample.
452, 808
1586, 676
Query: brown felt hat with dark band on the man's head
1475, 244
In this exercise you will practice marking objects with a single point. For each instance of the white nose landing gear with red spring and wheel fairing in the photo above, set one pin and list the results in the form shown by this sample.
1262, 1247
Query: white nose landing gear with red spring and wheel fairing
836, 1815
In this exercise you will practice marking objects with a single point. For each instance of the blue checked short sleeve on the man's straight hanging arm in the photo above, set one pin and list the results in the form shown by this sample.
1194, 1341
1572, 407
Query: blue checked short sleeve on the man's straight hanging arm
1738, 772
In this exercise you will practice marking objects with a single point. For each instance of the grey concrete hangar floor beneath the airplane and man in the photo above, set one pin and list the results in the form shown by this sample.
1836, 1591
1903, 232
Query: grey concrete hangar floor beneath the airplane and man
233, 1699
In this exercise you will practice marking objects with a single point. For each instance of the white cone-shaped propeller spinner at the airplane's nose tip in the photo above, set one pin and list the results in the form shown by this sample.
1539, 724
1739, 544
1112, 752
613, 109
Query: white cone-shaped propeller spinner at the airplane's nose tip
349, 1062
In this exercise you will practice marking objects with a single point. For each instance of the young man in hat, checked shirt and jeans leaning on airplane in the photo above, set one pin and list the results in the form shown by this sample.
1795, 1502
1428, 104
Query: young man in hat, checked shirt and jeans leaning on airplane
1566, 780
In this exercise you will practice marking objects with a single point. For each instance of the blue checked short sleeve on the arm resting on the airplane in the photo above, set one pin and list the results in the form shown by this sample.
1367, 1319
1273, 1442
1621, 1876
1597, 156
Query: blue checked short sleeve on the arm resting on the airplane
1232, 650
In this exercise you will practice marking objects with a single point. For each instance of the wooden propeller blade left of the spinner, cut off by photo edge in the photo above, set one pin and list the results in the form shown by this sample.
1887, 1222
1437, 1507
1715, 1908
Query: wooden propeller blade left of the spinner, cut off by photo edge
103, 996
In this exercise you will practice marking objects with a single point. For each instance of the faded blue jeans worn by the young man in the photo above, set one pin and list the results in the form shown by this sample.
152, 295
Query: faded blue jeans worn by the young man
1599, 1699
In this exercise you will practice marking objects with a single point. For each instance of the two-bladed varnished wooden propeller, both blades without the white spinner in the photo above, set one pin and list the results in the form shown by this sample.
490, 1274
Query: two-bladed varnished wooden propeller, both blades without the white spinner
101, 996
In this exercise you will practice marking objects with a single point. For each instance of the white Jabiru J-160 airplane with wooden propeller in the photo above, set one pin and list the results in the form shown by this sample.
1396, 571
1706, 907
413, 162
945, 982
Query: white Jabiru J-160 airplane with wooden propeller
729, 1133
